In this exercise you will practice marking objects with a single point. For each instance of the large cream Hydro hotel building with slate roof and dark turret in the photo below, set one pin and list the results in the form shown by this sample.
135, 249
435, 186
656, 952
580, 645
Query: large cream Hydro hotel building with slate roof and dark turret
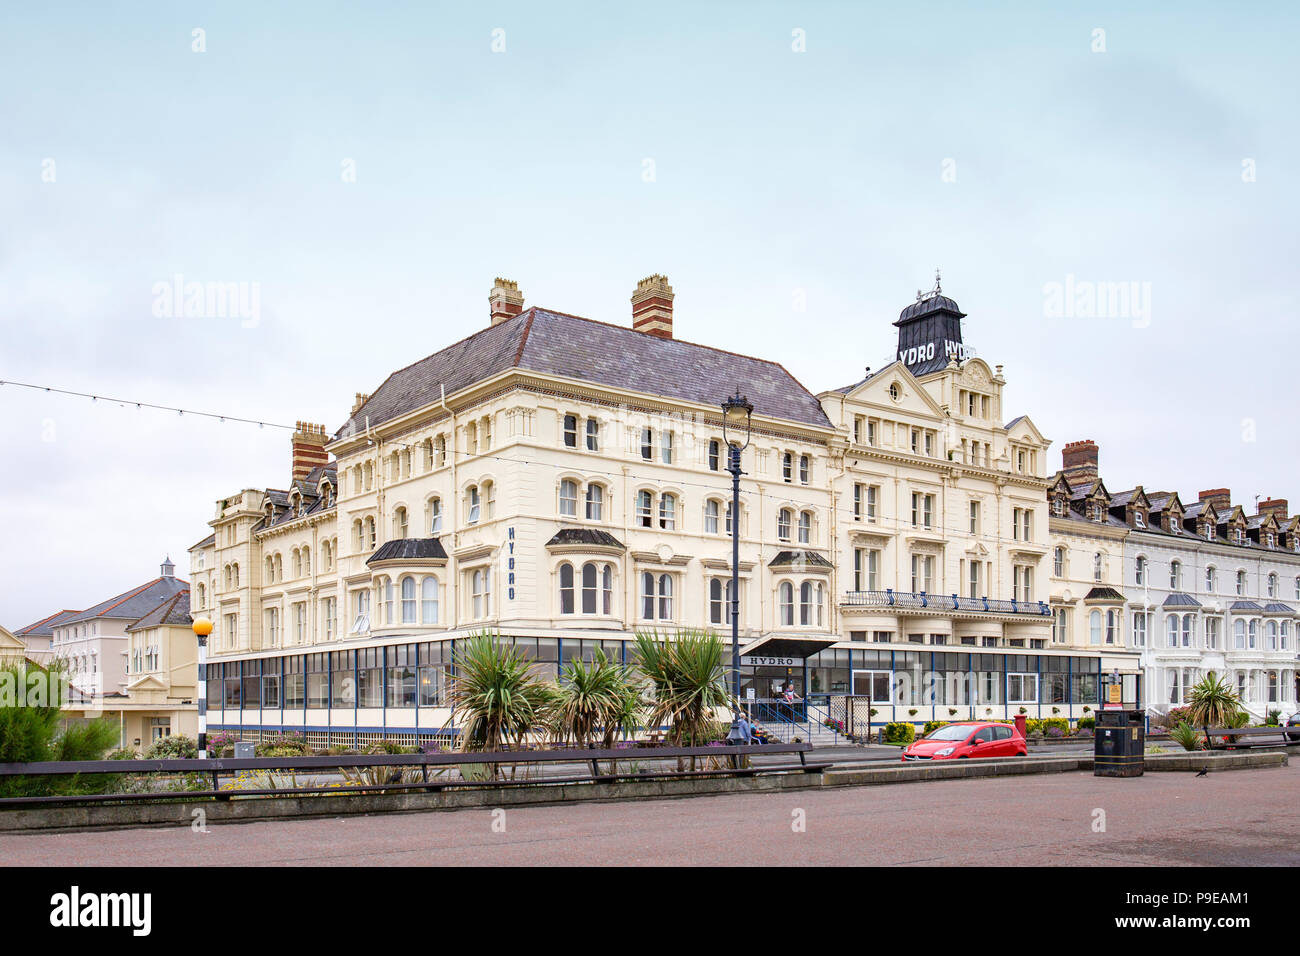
562, 482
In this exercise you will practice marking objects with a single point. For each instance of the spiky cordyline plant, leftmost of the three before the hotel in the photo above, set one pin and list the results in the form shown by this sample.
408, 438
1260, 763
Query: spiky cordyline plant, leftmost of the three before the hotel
496, 697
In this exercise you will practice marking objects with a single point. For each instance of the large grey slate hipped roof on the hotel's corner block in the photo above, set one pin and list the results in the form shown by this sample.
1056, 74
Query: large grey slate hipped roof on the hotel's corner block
590, 352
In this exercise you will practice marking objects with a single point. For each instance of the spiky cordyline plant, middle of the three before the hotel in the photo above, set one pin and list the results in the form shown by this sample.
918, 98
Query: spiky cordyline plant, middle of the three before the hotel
597, 698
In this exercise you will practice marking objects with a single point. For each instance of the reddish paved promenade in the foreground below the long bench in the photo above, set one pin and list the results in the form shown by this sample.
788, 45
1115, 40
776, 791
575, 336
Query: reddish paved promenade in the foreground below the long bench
1165, 819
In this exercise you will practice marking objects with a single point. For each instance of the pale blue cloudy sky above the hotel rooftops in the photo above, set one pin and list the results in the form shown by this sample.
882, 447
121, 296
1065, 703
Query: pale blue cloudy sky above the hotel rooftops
777, 174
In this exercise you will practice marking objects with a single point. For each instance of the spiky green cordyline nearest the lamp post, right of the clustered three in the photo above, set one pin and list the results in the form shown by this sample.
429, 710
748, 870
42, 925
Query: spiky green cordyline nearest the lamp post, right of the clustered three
688, 682
